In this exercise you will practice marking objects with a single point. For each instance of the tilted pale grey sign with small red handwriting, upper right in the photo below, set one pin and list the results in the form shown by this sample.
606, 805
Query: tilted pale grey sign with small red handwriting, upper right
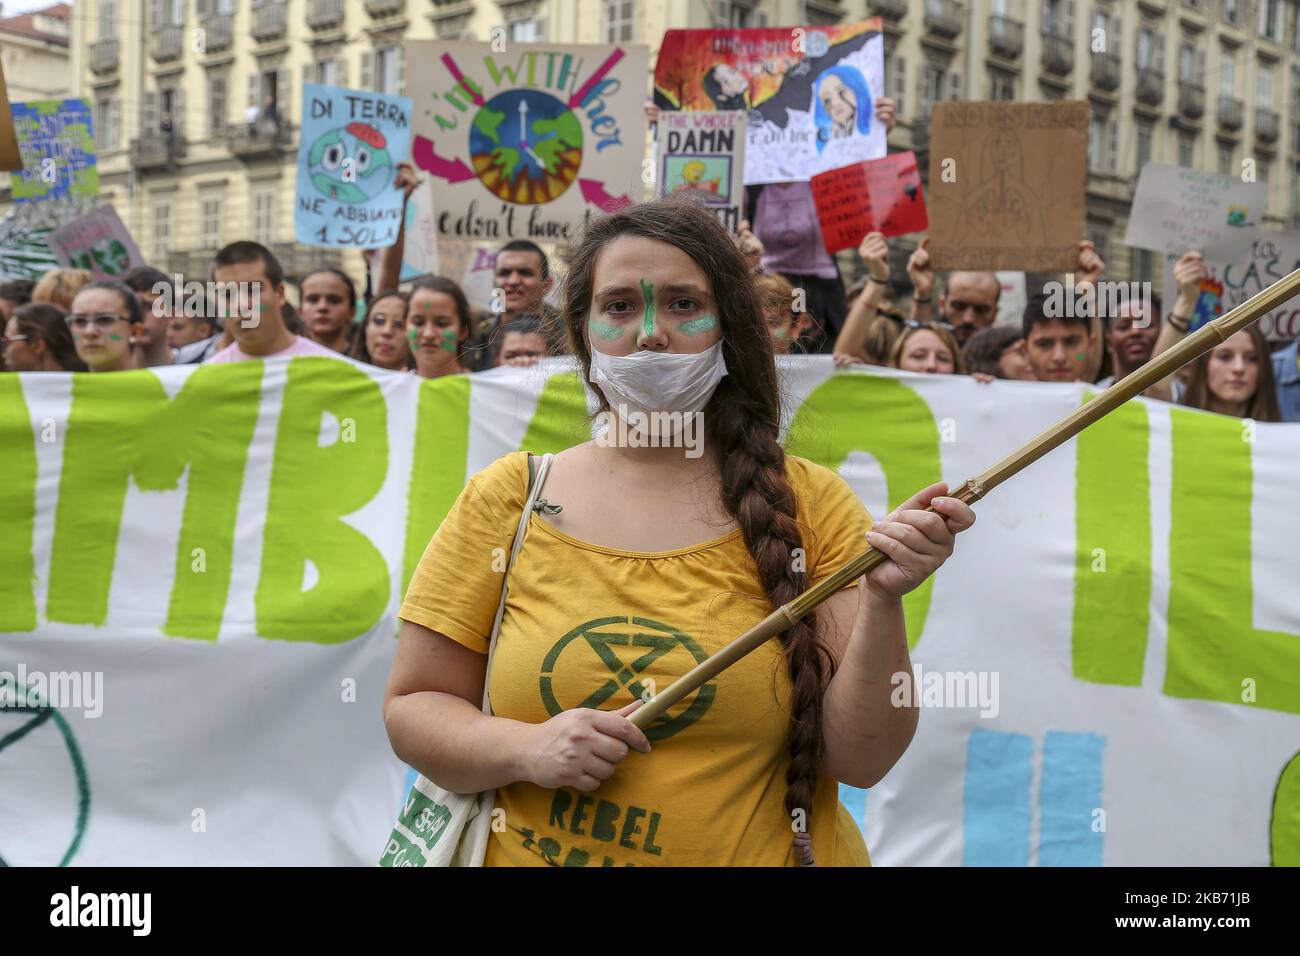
1176, 210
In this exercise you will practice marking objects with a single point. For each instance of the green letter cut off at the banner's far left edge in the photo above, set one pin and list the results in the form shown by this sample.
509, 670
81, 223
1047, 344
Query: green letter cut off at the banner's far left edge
19, 508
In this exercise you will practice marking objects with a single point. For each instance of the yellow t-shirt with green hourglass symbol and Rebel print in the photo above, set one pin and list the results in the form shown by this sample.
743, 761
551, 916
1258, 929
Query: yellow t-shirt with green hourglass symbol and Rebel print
592, 626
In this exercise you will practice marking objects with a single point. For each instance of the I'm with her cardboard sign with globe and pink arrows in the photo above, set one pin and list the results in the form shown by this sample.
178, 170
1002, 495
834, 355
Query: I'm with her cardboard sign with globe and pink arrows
528, 144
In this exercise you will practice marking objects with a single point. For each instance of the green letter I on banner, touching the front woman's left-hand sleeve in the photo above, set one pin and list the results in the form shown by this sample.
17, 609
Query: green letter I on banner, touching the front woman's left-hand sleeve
439, 470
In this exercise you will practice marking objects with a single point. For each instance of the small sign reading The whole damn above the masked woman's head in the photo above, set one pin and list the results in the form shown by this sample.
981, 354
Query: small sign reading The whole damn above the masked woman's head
705, 153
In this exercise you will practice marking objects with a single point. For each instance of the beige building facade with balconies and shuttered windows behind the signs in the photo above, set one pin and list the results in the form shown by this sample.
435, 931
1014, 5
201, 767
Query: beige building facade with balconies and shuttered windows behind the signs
1204, 84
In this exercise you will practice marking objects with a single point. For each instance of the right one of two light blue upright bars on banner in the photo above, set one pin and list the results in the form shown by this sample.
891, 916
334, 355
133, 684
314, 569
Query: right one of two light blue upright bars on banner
1068, 795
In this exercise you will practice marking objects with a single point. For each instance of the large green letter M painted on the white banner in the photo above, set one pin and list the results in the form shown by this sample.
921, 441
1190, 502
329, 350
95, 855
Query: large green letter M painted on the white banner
124, 427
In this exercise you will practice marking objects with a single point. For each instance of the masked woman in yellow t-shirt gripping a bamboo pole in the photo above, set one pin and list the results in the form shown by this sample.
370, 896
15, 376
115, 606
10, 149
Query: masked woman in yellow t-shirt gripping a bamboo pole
662, 552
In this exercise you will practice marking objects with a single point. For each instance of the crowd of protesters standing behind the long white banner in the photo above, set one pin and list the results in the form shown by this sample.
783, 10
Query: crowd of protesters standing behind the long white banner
70, 322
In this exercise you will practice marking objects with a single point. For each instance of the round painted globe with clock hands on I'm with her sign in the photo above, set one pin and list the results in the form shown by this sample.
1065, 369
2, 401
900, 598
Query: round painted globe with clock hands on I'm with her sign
526, 146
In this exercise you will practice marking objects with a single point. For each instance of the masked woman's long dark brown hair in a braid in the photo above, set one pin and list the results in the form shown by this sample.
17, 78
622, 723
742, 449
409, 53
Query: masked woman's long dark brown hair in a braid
742, 427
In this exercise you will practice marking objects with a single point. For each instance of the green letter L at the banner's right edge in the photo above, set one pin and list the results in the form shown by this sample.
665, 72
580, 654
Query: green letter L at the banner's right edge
1215, 651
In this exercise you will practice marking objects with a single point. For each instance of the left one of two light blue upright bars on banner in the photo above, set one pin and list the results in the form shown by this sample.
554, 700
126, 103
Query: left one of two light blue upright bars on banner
998, 811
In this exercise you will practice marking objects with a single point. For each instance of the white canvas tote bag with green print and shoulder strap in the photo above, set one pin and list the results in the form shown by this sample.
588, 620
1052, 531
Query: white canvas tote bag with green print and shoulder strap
439, 828
